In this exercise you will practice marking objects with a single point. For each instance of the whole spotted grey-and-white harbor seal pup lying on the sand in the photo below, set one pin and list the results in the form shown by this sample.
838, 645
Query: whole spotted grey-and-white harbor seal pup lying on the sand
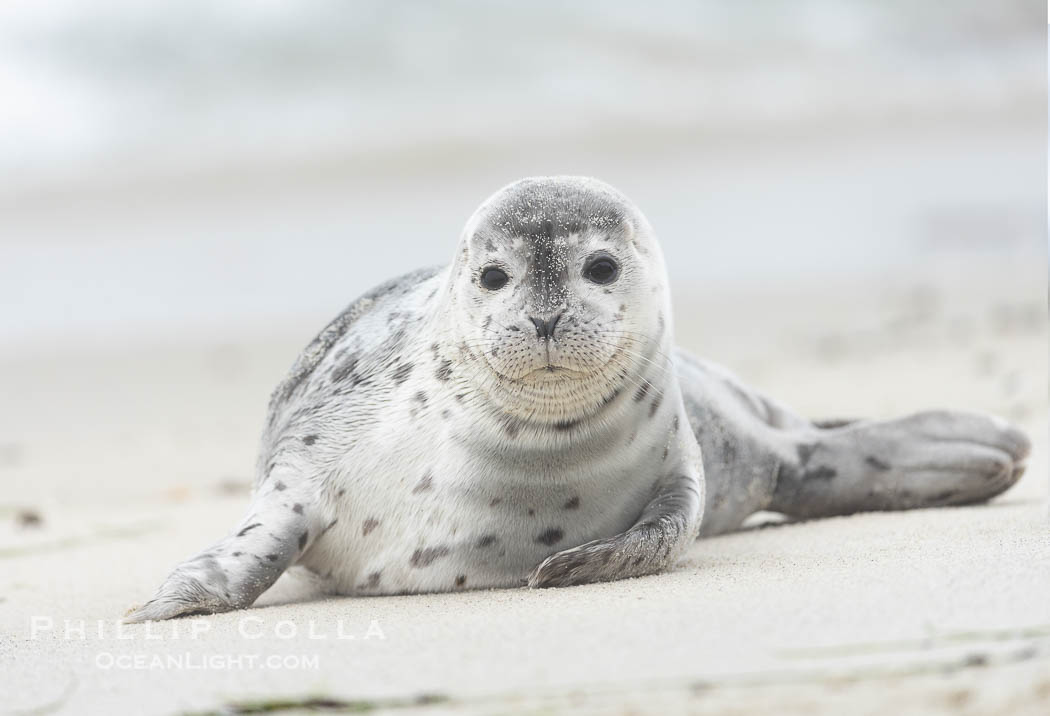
524, 417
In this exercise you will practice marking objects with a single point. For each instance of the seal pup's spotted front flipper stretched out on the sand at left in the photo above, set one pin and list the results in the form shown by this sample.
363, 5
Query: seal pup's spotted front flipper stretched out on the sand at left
234, 573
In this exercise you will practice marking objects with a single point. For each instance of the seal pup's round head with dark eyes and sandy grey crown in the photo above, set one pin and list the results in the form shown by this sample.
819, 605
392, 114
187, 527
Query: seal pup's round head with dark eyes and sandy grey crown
560, 299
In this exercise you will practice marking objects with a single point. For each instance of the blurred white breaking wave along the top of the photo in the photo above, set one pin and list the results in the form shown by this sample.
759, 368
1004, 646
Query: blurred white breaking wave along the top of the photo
155, 82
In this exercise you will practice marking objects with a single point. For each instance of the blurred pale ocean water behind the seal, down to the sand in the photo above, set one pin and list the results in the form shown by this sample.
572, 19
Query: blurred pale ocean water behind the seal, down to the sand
228, 167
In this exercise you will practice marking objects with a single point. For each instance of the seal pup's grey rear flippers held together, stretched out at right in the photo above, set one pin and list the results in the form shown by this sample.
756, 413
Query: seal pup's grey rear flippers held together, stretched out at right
927, 460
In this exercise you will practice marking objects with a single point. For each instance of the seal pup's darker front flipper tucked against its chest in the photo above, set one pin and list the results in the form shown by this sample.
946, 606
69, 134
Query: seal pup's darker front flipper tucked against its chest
667, 527
